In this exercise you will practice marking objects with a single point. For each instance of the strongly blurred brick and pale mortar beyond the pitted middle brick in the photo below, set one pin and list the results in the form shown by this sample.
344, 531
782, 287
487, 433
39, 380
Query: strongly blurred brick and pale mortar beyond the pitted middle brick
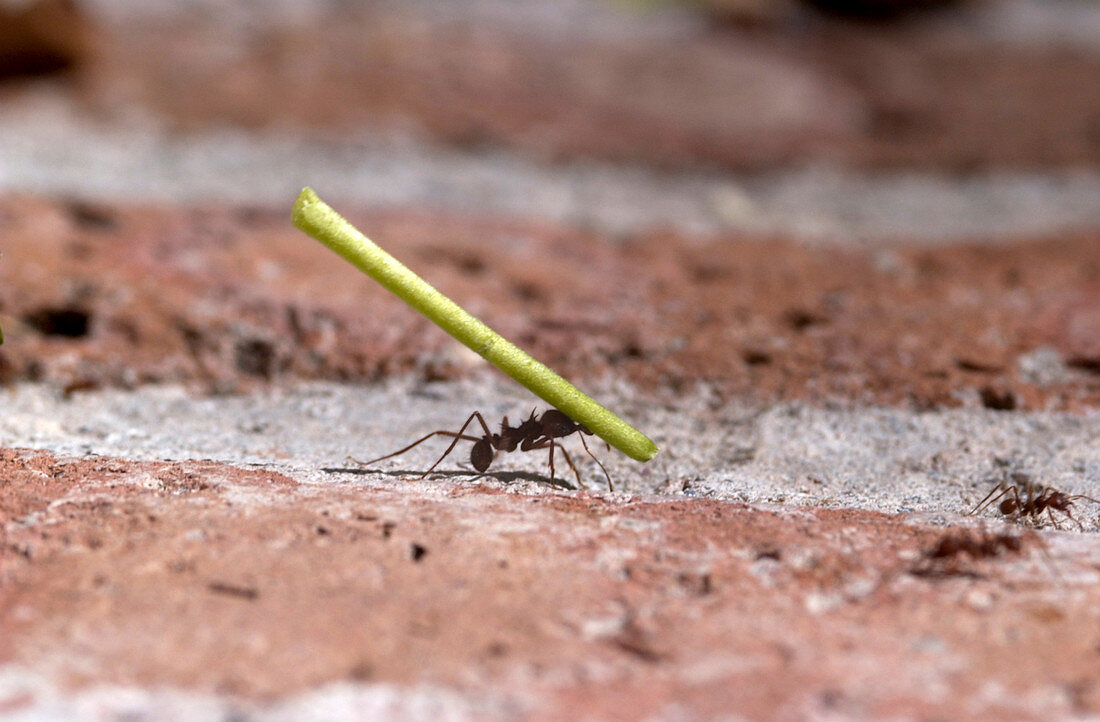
842, 121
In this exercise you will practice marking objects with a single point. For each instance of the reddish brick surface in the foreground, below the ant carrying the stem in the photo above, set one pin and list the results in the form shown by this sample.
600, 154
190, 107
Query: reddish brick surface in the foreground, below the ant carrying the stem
244, 583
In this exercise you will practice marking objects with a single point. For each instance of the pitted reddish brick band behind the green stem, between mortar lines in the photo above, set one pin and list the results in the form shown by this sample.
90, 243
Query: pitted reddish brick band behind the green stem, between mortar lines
230, 299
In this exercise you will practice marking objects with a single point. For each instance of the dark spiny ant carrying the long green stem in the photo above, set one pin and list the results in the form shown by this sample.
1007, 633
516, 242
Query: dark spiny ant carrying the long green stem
536, 433
